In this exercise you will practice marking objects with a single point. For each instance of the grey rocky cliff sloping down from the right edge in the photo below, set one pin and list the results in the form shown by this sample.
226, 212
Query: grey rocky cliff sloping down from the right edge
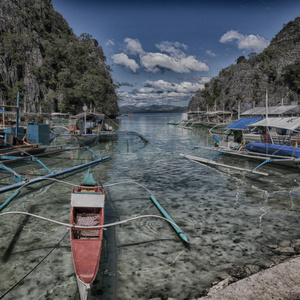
276, 69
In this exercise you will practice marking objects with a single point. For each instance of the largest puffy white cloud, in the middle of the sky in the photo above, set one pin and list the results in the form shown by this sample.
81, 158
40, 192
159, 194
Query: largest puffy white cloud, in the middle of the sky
154, 62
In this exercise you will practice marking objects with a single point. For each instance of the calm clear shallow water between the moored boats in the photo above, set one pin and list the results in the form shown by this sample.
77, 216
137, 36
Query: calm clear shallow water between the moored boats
229, 218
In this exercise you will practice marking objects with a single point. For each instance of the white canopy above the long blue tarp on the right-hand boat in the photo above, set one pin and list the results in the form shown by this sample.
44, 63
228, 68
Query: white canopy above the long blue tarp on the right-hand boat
292, 123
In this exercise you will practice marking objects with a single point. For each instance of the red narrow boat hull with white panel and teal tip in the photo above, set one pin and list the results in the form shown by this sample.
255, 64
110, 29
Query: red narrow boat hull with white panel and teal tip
87, 209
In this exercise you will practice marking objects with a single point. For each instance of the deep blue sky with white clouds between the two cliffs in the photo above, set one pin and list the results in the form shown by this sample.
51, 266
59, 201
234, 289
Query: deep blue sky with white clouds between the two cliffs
162, 52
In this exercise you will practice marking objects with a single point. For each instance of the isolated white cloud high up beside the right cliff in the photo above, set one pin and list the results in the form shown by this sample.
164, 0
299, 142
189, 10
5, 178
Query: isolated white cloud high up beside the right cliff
247, 42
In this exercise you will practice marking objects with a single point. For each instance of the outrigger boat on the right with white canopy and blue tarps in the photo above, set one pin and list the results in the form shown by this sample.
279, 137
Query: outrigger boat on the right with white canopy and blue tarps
276, 149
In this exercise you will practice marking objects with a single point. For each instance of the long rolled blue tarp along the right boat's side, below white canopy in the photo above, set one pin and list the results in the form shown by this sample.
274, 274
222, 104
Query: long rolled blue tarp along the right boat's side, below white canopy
280, 150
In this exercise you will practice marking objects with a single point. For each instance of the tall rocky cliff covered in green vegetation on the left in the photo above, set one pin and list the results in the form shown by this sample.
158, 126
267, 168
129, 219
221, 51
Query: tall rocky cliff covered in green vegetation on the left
51, 68
